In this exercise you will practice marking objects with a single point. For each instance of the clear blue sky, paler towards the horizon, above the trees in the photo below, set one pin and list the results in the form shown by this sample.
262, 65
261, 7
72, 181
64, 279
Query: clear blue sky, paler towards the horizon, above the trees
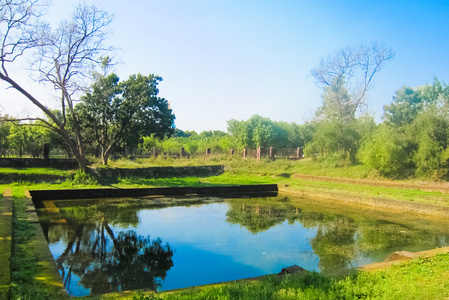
223, 60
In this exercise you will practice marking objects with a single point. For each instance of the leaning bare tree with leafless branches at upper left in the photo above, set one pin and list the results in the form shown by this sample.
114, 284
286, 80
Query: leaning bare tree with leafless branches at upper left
64, 58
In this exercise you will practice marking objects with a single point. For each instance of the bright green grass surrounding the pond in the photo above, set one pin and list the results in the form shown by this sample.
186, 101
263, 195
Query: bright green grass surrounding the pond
419, 279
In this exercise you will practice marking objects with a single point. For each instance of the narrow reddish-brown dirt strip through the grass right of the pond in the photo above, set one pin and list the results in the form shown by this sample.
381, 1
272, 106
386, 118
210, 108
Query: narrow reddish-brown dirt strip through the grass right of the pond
424, 186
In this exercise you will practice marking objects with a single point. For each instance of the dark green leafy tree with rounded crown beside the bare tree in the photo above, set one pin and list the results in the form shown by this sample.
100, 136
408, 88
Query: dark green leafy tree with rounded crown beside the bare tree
120, 114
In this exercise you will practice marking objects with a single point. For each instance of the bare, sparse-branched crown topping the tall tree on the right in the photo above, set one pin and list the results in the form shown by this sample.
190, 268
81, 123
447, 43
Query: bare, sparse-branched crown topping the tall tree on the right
347, 74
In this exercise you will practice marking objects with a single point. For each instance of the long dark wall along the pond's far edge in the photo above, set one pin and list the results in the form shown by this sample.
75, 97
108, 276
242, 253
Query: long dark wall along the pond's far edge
40, 195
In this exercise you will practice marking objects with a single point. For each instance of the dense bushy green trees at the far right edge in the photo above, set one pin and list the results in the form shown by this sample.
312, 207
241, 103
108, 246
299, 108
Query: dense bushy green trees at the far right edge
414, 133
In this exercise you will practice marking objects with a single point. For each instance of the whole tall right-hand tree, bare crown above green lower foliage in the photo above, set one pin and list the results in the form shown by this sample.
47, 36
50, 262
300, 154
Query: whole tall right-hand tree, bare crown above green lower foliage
345, 77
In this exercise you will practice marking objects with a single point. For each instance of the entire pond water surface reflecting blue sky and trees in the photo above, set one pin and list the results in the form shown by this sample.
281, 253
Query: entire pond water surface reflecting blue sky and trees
162, 243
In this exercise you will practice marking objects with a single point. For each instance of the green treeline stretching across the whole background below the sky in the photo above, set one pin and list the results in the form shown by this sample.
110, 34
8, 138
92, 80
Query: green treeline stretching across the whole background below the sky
412, 138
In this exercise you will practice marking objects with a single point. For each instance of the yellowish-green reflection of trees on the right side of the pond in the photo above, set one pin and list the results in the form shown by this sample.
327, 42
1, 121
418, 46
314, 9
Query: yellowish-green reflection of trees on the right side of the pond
339, 238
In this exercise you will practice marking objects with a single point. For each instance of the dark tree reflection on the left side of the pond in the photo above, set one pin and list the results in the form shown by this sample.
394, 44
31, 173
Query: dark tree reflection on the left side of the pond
106, 262
